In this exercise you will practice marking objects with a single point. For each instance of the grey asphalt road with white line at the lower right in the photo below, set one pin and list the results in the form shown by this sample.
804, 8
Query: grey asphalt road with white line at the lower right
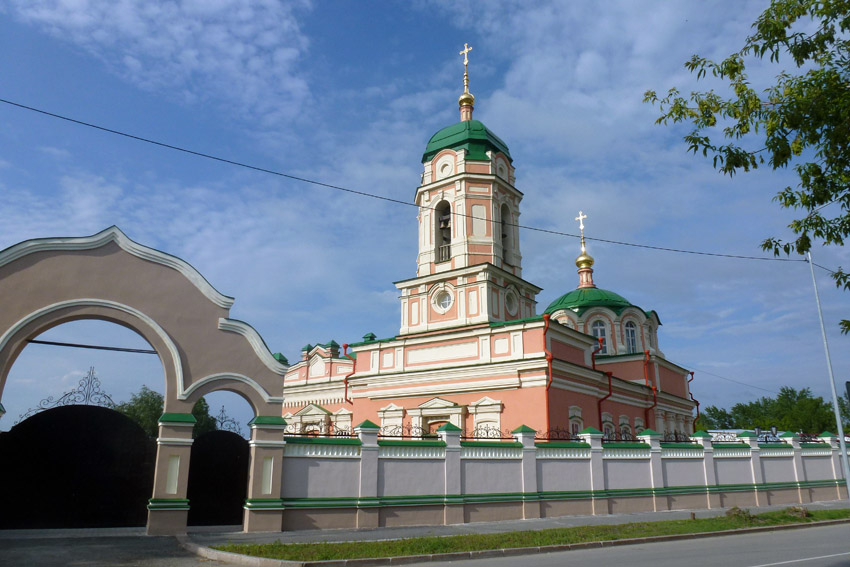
827, 546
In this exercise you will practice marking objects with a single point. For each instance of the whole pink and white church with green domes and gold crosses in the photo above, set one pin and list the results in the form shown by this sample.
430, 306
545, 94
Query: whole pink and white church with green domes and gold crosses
472, 350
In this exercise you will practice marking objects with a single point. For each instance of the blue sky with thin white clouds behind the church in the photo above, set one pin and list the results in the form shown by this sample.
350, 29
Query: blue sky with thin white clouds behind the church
348, 94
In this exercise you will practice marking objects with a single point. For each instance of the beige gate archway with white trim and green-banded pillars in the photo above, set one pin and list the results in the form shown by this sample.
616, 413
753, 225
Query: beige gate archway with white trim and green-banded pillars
109, 277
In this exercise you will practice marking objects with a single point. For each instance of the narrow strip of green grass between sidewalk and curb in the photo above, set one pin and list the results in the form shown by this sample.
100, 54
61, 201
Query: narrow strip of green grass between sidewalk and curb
477, 542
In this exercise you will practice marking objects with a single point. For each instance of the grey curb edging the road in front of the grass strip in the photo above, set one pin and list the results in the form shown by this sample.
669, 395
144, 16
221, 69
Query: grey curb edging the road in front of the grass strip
247, 560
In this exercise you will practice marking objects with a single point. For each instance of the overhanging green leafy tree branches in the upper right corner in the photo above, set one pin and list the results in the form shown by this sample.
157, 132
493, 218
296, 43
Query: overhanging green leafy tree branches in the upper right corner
799, 118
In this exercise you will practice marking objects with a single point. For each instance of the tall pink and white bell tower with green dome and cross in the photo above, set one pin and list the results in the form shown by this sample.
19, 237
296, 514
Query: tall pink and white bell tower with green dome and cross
469, 266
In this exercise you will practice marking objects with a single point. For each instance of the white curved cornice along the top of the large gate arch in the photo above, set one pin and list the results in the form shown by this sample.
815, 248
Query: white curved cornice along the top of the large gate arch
114, 234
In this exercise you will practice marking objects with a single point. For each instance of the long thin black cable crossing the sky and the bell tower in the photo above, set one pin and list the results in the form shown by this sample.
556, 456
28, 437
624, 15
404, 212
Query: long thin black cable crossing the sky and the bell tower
375, 196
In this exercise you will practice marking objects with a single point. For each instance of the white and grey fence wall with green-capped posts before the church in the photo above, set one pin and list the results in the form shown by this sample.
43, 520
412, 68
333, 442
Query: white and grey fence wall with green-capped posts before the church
367, 481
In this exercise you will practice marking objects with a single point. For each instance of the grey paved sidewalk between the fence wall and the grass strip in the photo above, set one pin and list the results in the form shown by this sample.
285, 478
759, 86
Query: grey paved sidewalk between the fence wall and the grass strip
216, 536
